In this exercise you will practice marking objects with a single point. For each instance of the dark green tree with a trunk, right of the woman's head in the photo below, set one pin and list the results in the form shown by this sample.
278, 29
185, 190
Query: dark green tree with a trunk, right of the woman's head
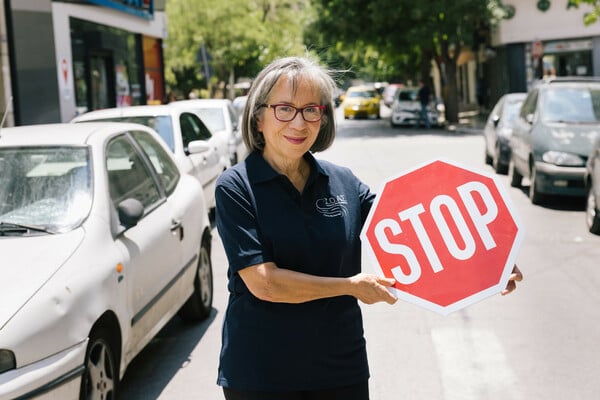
415, 32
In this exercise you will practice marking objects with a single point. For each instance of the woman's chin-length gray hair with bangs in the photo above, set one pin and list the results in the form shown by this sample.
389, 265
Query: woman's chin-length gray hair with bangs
295, 69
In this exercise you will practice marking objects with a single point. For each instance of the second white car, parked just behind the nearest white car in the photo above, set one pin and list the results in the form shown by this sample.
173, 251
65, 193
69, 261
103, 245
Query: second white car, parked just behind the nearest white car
190, 140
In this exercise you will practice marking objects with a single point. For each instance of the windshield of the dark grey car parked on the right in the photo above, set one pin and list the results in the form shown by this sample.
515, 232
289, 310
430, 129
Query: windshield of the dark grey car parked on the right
572, 104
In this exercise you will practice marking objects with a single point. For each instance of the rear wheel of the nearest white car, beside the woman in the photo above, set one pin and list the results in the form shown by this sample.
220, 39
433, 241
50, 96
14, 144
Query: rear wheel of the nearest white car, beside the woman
199, 305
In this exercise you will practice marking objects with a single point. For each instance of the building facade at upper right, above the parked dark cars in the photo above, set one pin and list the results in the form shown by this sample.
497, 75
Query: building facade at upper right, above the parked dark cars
539, 38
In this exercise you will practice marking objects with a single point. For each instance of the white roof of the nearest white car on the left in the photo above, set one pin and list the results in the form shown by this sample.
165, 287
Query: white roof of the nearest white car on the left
61, 133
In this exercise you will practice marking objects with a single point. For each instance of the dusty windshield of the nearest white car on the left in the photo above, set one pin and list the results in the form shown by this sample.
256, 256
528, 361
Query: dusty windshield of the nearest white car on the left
47, 189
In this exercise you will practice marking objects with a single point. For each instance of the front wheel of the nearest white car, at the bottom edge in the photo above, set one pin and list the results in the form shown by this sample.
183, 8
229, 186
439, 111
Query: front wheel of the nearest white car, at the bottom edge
100, 379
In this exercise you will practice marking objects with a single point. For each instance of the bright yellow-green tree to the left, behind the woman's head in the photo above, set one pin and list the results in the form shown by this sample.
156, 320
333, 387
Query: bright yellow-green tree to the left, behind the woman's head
234, 37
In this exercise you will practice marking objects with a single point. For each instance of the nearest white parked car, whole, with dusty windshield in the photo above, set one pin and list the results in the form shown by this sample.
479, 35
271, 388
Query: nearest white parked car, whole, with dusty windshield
103, 240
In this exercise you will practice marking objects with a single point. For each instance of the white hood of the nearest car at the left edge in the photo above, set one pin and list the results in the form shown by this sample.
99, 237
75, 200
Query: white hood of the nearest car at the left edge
28, 263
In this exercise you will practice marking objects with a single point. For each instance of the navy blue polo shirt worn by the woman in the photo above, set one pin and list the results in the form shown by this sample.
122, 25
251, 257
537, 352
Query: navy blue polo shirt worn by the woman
262, 217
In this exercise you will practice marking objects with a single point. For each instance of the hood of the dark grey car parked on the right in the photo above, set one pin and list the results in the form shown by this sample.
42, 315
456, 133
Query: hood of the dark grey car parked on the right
576, 139
